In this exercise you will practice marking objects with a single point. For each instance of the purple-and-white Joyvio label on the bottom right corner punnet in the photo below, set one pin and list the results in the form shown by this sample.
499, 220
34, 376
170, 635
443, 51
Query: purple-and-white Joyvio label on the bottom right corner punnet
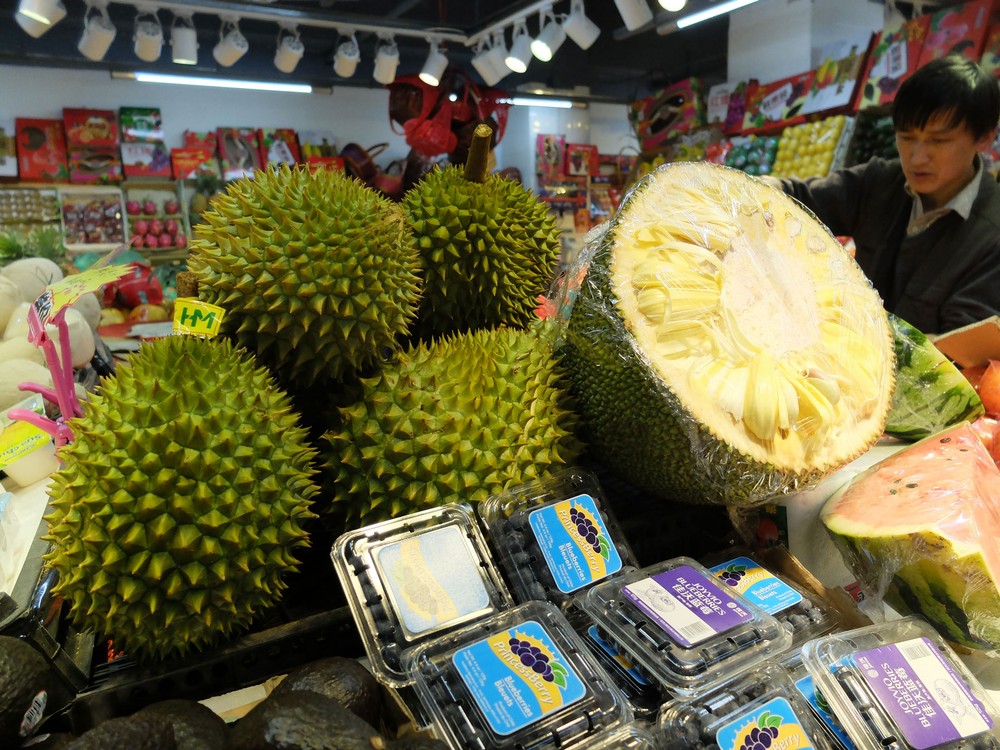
927, 700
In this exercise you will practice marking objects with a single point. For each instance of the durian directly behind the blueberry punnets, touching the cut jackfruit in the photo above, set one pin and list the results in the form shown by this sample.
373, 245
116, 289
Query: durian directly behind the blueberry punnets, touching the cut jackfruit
453, 421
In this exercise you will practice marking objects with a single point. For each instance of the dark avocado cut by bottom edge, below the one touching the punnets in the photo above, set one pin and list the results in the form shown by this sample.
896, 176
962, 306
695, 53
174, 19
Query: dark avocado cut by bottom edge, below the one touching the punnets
303, 720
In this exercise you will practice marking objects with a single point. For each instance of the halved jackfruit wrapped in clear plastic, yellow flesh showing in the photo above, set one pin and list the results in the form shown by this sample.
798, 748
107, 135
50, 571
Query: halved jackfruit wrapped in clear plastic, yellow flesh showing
722, 345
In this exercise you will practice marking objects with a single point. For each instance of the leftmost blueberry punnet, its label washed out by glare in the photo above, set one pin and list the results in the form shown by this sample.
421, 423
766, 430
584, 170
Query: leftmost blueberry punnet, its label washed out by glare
411, 578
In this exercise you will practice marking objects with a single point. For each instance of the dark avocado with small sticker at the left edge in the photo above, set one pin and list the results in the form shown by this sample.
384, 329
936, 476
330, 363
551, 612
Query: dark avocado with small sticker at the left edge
25, 682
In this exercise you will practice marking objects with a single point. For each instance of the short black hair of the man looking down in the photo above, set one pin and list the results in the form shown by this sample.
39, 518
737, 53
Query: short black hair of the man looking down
954, 87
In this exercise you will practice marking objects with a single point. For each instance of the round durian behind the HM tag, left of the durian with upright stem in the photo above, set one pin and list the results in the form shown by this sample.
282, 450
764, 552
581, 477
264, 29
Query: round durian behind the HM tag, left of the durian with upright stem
318, 273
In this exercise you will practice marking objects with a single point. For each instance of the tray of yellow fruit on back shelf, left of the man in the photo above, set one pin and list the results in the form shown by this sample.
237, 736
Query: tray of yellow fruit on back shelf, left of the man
813, 149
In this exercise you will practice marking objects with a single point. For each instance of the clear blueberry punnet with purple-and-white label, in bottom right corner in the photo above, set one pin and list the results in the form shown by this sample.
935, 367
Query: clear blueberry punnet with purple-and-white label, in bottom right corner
898, 685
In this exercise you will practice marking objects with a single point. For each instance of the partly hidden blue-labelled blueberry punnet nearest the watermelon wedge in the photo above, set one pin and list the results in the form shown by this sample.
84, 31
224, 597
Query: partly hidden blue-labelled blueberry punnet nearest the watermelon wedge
802, 613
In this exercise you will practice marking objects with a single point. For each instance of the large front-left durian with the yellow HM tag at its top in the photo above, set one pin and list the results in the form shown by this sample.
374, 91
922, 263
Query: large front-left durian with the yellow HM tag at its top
181, 499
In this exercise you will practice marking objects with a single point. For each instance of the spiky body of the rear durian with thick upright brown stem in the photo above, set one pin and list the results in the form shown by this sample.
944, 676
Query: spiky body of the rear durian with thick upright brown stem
489, 249
